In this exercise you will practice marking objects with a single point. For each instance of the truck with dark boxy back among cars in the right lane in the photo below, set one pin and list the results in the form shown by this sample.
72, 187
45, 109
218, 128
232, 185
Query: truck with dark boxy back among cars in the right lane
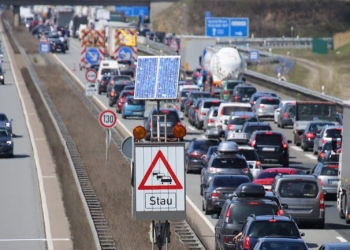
307, 111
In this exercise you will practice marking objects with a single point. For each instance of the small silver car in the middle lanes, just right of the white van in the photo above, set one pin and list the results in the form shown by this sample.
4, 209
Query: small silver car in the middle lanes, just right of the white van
265, 107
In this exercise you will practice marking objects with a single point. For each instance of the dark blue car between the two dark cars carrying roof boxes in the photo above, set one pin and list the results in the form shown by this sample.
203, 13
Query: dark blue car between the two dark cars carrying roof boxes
218, 189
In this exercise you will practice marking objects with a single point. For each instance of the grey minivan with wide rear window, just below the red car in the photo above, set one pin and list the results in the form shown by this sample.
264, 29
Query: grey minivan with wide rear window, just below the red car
302, 198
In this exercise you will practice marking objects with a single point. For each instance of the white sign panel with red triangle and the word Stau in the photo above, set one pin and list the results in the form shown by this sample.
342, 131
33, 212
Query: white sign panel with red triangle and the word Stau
159, 181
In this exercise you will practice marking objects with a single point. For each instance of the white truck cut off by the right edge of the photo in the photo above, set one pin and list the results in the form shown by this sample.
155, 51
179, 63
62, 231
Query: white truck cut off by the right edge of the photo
343, 190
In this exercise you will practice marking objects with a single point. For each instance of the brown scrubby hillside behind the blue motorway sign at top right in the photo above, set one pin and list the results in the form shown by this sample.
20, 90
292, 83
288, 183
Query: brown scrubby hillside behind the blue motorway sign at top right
268, 18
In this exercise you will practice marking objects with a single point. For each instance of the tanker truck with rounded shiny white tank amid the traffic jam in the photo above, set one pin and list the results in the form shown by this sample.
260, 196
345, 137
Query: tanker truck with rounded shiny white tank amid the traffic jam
223, 63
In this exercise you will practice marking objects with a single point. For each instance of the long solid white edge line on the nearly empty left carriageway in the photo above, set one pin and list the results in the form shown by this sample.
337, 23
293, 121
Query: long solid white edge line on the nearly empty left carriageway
36, 157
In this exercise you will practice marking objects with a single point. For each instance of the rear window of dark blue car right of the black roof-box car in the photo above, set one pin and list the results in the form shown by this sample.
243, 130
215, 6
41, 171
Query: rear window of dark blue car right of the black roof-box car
259, 229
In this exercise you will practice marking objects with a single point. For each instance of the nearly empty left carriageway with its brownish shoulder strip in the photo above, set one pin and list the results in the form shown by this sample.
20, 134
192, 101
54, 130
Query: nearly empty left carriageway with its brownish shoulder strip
31, 210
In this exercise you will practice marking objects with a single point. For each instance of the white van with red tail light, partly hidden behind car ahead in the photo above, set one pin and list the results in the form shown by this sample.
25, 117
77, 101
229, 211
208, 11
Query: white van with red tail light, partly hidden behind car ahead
225, 110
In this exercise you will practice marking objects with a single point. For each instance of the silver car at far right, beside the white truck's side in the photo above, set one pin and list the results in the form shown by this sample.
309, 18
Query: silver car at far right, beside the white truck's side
327, 173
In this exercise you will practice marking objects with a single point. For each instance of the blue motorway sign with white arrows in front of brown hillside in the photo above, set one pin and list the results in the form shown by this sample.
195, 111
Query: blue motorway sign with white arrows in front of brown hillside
236, 27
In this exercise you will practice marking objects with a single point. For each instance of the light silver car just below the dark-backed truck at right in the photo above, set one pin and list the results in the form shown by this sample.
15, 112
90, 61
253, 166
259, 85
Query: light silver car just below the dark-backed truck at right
327, 133
